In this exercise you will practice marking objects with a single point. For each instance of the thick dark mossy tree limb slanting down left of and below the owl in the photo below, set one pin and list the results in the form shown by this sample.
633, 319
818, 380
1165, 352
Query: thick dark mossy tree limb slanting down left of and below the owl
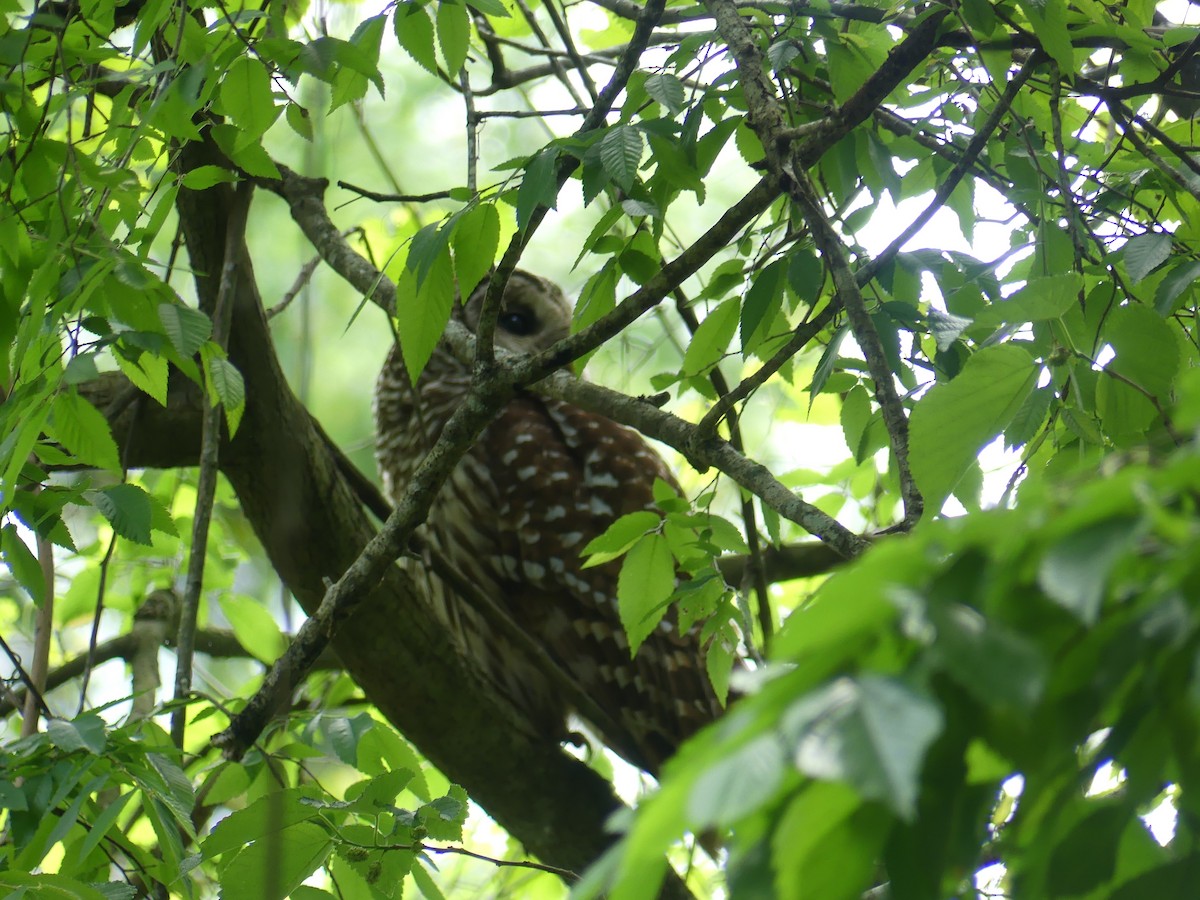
314, 529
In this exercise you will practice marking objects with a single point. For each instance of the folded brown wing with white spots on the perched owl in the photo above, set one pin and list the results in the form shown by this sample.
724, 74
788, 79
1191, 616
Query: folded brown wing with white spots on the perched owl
567, 475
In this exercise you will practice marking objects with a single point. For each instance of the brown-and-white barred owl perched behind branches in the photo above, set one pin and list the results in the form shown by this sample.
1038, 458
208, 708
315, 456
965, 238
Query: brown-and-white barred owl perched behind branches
542, 482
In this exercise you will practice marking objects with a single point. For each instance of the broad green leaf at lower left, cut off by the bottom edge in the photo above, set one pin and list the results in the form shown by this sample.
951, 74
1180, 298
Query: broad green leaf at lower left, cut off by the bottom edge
273, 869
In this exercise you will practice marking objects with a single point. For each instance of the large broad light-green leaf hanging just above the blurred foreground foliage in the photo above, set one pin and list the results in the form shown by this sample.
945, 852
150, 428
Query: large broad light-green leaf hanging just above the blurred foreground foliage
956, 421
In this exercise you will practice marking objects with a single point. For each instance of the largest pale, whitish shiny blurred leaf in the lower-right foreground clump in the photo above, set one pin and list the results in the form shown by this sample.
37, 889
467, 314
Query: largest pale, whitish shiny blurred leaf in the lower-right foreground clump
872, 734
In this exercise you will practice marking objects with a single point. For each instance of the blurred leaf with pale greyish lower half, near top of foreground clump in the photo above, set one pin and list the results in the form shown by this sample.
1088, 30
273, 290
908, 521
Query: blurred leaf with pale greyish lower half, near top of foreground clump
1075, 573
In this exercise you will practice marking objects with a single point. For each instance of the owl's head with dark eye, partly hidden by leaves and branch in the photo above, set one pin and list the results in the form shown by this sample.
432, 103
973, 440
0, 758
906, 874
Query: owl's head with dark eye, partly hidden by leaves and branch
535, 314
